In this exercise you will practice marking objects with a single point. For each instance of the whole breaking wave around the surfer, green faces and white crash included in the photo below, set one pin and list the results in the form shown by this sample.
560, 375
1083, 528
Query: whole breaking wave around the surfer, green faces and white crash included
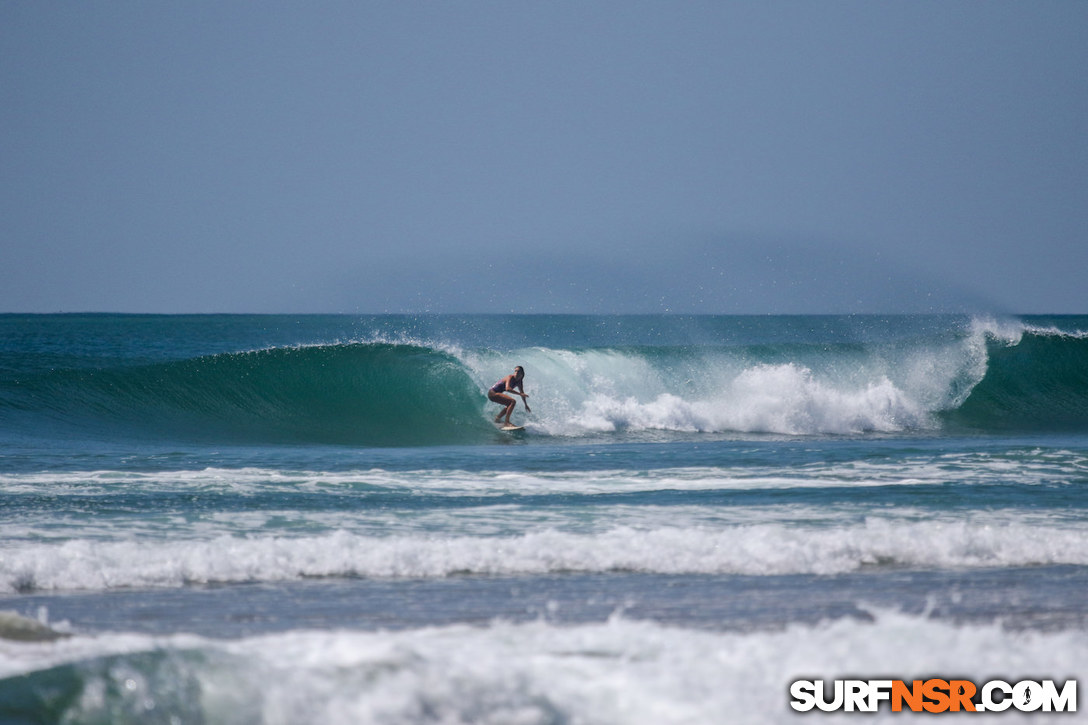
986, 376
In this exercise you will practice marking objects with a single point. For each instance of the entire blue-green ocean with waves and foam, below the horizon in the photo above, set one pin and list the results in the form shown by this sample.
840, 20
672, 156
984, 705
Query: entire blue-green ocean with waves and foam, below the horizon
313, 520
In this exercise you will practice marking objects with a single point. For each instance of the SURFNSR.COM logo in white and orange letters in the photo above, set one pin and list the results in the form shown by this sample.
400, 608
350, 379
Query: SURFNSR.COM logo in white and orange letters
934, 696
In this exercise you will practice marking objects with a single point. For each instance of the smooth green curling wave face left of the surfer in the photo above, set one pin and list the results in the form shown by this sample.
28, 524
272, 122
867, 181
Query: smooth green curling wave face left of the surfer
366, 395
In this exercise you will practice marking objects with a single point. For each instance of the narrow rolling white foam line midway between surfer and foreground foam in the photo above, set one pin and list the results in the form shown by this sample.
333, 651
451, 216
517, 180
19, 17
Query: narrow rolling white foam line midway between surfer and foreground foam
764, 549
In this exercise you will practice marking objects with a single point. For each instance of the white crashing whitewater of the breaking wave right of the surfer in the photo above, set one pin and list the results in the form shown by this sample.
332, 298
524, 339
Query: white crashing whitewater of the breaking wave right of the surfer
718, 390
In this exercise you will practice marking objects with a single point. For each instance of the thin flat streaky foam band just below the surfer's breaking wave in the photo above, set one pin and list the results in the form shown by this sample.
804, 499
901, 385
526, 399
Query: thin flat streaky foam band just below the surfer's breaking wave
1030, 468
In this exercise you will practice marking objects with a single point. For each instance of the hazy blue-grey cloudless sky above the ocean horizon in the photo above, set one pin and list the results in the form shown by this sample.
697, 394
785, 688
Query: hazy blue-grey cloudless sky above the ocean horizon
539, 157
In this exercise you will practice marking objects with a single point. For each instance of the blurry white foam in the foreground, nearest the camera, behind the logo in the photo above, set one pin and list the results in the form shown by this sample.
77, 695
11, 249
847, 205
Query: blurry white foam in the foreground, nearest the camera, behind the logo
621, 671
